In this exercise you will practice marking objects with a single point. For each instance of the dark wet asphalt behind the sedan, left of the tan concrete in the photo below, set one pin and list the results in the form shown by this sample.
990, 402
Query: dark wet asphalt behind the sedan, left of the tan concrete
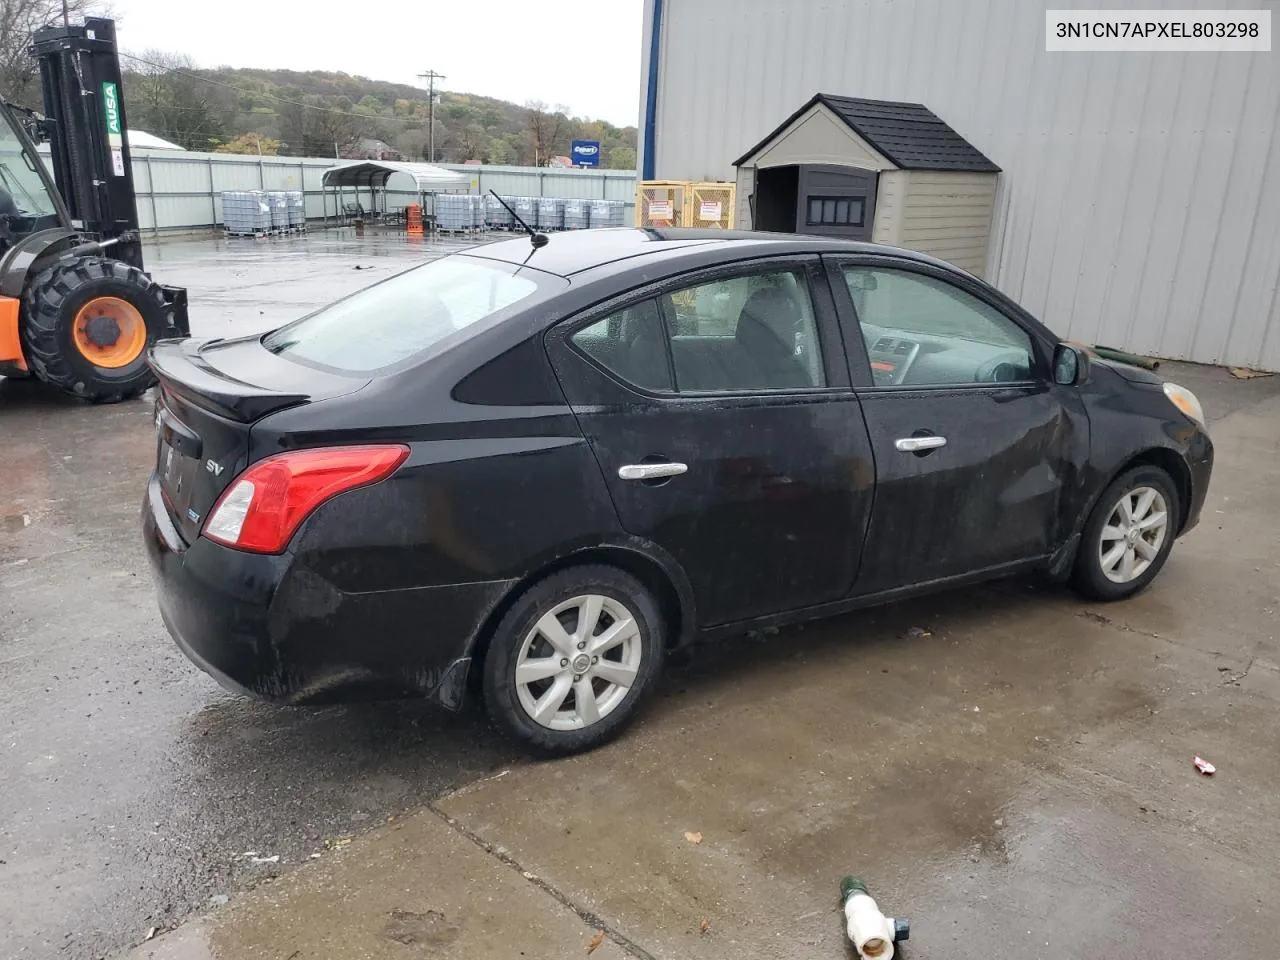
130, 784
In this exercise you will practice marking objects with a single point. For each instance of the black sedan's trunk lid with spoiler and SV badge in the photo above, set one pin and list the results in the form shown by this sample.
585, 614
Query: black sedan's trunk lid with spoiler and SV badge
211, 396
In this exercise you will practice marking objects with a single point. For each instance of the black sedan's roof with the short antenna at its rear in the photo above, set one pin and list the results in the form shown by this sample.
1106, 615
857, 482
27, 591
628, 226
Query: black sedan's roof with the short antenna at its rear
575, 252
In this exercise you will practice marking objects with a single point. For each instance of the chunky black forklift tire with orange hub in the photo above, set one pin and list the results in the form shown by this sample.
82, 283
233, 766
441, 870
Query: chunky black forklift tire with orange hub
89, 324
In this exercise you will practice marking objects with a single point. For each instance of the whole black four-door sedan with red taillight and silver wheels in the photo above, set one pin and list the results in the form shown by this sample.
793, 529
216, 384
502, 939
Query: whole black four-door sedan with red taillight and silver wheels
533, 470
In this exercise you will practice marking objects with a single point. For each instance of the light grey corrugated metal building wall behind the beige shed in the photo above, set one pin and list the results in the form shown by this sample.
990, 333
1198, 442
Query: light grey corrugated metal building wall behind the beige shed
1141, 199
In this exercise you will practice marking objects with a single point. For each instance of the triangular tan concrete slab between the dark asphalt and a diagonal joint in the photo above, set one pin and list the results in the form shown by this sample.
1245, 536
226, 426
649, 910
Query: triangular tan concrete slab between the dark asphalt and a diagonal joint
415, 889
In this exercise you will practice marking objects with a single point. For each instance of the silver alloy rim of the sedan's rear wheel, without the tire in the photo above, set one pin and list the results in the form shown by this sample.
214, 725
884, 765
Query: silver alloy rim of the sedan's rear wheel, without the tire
579, 662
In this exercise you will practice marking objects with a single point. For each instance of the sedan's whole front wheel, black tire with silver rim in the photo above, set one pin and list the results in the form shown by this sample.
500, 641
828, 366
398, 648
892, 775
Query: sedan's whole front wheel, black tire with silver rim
1091, 575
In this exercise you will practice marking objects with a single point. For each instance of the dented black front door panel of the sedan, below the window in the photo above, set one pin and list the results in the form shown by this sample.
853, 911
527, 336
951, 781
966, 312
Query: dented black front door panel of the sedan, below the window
996, 493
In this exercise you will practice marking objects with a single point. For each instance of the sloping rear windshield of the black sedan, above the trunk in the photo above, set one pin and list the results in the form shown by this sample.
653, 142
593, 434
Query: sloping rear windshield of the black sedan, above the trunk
400, 318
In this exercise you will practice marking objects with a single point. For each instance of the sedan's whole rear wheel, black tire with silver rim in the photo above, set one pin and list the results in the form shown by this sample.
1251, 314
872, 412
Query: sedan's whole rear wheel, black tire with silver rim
519, 639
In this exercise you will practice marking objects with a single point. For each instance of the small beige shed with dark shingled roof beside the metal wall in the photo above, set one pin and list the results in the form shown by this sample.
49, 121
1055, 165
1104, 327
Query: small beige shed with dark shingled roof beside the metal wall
875, 171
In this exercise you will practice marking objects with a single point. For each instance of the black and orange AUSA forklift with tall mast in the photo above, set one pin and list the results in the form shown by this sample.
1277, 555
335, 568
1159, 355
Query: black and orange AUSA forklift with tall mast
77, 309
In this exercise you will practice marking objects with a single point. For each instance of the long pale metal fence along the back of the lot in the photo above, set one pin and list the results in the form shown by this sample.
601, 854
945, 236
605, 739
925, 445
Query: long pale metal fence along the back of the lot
181, 191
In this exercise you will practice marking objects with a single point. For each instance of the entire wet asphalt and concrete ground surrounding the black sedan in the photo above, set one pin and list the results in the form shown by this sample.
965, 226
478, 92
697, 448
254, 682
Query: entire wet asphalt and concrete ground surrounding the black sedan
1030, 758
